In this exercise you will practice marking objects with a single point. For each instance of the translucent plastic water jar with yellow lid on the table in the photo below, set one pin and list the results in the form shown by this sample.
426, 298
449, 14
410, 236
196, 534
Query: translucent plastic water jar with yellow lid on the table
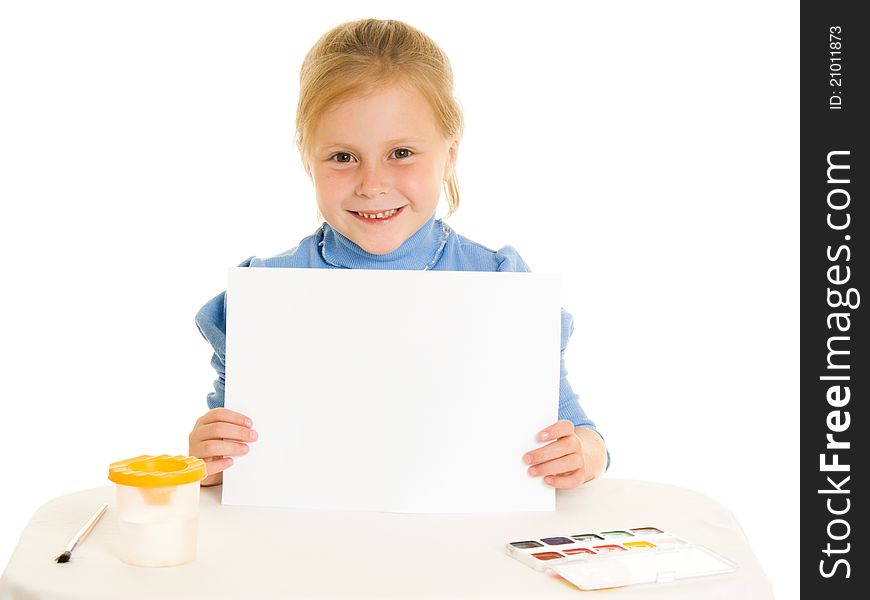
158, 505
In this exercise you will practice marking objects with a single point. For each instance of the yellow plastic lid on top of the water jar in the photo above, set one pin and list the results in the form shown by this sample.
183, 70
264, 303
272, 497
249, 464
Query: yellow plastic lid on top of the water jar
157, 471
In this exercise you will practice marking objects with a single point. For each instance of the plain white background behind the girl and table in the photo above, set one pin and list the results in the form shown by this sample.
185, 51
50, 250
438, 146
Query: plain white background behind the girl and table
646, 151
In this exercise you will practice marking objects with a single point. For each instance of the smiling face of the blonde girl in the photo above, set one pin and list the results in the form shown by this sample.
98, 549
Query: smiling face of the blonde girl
377, 163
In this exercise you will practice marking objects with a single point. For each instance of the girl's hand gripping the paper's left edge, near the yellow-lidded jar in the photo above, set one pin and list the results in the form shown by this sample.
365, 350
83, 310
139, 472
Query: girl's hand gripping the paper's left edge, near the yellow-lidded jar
217, 435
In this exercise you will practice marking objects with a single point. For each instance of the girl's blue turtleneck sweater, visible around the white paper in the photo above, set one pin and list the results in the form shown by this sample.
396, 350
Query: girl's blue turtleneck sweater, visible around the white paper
433, 247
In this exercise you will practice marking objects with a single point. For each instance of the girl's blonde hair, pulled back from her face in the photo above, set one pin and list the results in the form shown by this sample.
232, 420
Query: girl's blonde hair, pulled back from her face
355, 58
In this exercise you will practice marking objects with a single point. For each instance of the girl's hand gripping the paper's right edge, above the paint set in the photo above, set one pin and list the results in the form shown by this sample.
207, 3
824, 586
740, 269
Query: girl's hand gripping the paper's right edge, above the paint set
561, 462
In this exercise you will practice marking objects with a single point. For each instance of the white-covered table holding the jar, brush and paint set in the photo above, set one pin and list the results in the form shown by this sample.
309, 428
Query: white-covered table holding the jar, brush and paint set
247, 552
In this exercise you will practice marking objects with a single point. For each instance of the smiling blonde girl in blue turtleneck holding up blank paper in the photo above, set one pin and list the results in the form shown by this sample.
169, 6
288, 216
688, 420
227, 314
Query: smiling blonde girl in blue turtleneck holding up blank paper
378, 129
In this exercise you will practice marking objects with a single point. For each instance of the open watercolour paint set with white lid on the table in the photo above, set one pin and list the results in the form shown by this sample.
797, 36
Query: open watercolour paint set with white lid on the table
619, 557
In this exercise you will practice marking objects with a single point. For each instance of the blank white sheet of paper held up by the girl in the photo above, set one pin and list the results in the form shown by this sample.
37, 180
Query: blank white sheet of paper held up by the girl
397, 391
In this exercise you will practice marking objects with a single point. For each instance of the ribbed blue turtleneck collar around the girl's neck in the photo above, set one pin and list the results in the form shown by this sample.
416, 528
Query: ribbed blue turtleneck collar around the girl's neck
419, 252
